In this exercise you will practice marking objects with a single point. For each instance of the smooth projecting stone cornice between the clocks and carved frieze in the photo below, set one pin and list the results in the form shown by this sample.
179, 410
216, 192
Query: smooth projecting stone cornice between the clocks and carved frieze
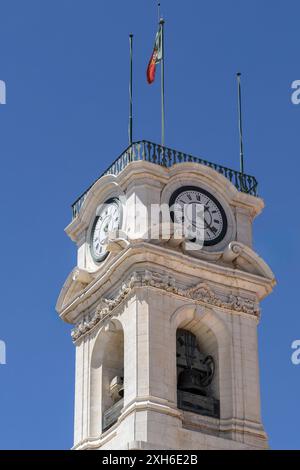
150, 256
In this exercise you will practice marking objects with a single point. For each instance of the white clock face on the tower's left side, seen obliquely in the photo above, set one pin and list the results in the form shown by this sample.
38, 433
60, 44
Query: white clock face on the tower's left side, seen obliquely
108, 219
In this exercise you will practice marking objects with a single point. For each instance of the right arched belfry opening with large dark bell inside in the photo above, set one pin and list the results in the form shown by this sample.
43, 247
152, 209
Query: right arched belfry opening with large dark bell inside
197, 370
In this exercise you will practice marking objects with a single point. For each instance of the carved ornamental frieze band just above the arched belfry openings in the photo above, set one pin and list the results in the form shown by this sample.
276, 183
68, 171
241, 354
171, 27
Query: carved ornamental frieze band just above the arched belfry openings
201, 292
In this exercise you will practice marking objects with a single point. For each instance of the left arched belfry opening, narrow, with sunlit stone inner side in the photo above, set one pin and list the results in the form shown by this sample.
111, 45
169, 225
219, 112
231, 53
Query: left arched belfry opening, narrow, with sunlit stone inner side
107, 378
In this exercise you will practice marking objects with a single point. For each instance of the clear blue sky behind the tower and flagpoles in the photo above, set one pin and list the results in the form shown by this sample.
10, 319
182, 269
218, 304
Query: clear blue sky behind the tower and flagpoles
65, 63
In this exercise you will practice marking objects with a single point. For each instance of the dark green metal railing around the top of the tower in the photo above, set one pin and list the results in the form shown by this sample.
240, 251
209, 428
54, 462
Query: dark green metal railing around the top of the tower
164, 156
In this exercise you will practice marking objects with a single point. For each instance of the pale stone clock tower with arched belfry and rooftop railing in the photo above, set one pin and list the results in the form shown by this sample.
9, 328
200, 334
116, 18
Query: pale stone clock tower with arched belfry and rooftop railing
165, 332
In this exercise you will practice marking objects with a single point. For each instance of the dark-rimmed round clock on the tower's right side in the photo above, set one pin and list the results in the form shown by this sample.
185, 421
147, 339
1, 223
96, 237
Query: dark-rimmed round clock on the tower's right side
215, 220
